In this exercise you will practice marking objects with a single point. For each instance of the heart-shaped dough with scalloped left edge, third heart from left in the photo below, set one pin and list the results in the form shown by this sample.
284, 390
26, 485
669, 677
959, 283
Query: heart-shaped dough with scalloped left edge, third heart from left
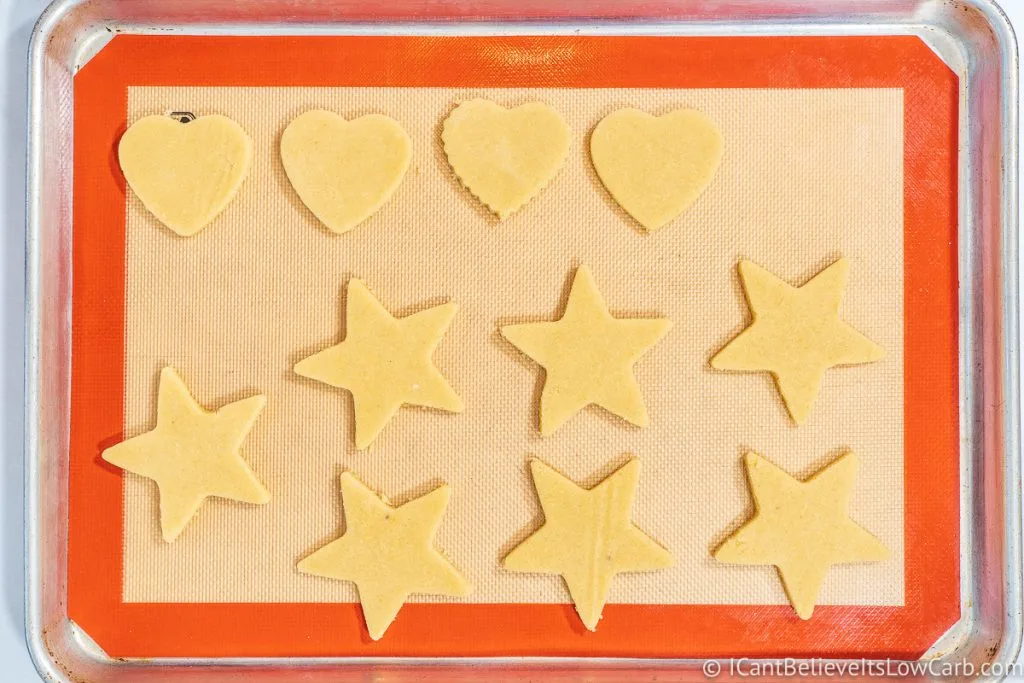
505, 157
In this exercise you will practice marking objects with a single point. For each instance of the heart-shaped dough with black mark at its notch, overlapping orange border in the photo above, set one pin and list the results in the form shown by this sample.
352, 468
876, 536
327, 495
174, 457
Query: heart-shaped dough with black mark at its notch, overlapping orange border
186, 174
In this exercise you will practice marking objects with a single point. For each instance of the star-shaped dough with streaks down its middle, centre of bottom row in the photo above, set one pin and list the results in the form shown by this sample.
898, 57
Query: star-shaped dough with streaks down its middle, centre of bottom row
587, 537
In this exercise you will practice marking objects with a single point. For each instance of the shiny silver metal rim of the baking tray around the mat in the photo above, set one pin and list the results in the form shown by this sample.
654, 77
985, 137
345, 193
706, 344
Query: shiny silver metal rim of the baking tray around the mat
973, 37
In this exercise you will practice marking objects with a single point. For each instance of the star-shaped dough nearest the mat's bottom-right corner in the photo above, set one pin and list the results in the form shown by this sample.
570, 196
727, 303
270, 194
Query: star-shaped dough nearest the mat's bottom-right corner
802, 528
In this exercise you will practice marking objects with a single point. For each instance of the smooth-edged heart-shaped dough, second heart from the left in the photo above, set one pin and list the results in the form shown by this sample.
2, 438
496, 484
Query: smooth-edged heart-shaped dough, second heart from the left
345, 170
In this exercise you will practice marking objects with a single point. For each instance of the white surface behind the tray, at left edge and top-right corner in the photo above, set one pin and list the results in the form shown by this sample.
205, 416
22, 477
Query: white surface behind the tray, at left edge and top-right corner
17, 20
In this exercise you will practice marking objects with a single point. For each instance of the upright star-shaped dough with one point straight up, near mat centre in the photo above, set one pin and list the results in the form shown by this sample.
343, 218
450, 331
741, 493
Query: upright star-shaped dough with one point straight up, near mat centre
588, 357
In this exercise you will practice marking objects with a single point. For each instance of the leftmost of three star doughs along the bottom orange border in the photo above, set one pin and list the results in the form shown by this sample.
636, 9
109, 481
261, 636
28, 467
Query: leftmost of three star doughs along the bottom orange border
388, 552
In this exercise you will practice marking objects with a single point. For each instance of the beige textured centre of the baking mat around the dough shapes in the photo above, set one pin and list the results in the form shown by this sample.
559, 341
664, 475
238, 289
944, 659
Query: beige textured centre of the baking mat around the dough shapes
809, 176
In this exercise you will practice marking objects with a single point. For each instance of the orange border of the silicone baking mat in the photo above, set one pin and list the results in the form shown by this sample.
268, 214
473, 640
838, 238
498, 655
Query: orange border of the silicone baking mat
215, 630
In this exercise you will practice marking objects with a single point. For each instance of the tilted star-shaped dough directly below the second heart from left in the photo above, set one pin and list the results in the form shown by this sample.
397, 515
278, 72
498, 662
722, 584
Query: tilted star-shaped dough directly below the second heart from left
386, 362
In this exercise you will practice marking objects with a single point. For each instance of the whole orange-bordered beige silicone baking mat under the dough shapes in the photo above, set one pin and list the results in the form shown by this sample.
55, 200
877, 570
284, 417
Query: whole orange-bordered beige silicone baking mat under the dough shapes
826, 156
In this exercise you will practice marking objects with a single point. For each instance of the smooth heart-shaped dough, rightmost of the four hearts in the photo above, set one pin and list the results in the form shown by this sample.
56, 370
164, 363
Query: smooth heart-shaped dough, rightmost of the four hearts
656, 167
